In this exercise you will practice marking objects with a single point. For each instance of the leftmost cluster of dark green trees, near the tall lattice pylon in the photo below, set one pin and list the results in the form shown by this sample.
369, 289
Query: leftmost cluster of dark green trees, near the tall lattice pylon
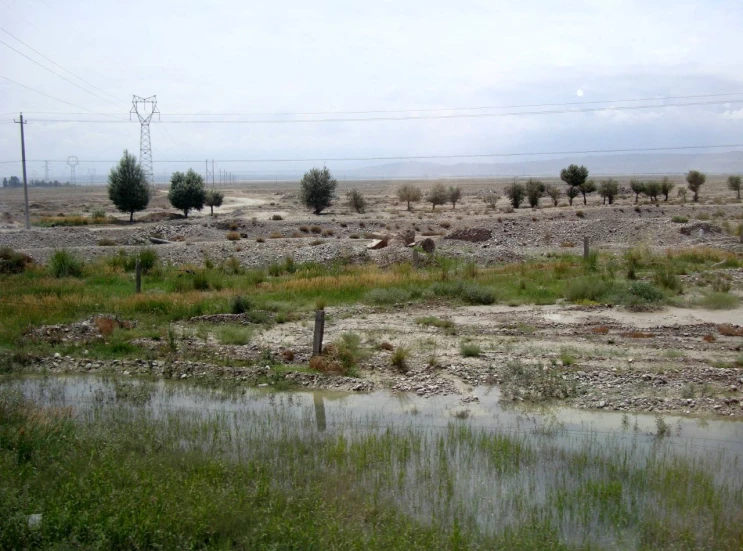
130, 192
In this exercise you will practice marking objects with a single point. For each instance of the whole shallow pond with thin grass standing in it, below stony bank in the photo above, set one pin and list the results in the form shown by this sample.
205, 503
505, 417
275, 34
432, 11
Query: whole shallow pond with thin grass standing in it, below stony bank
600, 478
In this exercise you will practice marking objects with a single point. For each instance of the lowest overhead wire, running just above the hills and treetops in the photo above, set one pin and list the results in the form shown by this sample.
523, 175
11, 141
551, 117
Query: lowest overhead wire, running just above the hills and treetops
421, 157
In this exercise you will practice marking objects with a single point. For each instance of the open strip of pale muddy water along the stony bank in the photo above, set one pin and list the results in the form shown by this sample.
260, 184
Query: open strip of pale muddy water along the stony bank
385, 408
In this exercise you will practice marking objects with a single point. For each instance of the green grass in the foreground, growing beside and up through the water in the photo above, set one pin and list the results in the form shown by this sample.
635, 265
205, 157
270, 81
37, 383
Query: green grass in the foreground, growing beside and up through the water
123, 475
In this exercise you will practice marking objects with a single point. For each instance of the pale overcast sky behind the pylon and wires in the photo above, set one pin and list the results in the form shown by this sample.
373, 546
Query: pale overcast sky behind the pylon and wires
297, 56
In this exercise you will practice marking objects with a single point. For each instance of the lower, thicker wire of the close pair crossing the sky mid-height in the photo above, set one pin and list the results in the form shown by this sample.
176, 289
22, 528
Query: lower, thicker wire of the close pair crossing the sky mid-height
406, 118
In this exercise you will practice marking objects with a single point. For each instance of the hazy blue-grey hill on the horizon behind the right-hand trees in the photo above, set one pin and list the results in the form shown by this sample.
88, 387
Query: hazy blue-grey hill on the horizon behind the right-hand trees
622, 164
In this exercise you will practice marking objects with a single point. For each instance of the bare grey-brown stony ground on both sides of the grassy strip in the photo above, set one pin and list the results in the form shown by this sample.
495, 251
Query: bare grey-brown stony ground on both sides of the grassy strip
677, 360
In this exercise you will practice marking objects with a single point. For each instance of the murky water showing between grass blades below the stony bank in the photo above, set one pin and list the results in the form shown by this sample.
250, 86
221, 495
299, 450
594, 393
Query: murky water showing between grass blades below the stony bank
444, 473
